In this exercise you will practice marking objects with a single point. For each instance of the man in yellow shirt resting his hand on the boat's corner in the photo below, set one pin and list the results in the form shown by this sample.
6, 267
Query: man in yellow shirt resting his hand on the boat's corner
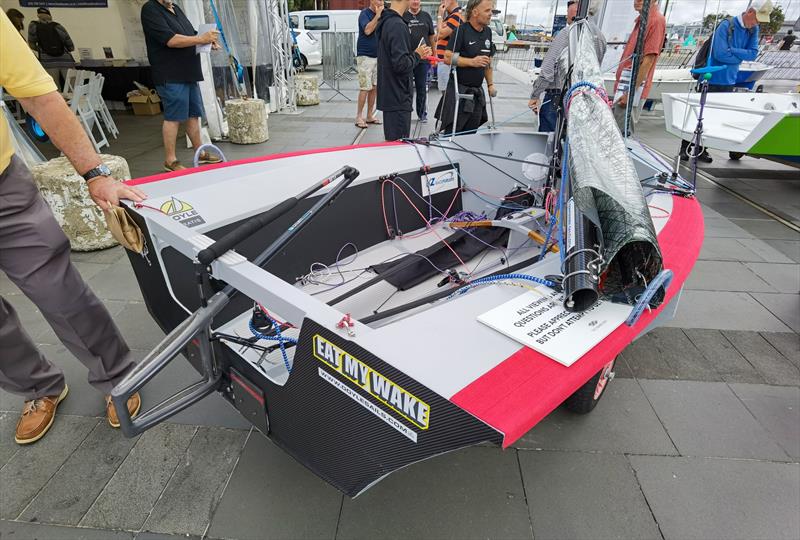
34, 254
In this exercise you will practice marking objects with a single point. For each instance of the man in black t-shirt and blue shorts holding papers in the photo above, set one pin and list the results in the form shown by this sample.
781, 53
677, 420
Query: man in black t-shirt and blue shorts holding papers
175, 64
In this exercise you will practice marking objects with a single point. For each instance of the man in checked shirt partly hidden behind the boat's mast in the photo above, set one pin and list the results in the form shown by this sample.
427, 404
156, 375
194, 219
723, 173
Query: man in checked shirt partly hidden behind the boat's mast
551, 80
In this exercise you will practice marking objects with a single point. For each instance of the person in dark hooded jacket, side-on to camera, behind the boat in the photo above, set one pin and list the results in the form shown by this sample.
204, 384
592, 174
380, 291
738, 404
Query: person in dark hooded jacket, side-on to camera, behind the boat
396, 62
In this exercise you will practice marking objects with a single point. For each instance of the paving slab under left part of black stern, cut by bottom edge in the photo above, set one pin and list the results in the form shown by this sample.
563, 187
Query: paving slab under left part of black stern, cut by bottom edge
266, 488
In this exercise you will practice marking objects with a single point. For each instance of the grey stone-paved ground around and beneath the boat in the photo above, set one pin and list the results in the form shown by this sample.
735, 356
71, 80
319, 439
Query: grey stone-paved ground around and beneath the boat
699, 437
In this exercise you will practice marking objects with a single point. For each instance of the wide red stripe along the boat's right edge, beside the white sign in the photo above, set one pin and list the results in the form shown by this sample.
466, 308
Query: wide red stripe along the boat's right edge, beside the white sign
519, 392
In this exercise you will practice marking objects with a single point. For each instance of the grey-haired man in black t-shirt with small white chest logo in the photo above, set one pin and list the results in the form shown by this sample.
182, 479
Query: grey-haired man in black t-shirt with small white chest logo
470, 50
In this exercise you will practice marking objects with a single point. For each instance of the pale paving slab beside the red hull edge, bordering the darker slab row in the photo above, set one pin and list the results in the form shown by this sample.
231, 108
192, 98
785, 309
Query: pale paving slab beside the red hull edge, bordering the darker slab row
725, 311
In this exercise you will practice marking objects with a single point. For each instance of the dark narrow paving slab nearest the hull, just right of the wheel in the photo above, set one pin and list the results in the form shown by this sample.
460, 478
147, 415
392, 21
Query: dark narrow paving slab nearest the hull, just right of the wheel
666, 353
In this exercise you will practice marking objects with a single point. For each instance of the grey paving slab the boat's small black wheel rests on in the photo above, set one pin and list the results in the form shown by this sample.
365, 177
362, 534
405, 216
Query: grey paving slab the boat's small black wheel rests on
622, 422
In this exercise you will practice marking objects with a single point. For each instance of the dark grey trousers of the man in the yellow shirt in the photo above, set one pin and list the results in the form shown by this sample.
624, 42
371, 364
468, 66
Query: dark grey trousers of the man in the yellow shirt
34, 254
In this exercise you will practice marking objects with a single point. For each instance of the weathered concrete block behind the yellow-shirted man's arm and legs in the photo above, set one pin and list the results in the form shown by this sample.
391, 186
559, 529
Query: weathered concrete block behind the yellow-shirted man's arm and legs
68, 196
